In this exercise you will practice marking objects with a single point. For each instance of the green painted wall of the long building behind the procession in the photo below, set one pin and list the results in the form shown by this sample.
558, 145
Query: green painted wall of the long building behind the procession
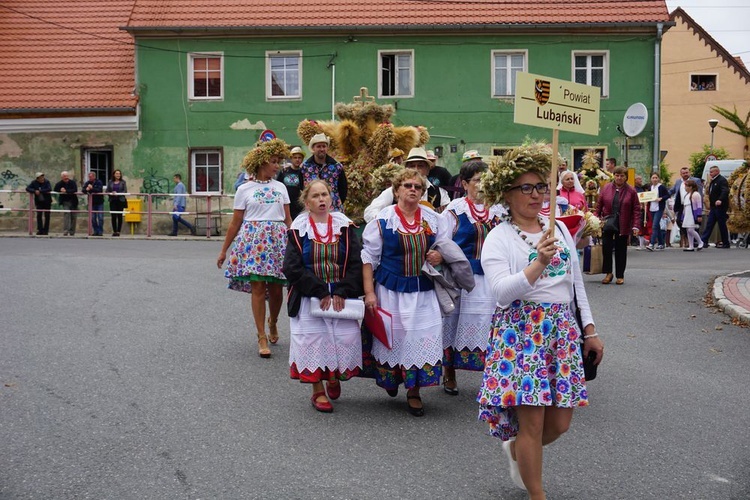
452, 93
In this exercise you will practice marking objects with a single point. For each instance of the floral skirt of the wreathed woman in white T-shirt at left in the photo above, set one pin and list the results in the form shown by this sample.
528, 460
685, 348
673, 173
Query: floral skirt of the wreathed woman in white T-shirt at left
257, 255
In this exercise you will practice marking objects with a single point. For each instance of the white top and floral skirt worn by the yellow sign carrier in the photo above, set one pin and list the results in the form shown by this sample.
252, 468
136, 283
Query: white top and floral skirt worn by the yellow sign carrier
534, 354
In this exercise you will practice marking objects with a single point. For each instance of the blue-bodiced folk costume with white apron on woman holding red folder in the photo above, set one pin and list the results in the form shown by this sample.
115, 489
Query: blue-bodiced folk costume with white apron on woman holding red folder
397, 256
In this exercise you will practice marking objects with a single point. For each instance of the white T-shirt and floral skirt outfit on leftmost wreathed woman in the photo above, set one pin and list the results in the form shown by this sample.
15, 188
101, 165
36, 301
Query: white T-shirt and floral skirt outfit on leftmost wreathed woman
258, 250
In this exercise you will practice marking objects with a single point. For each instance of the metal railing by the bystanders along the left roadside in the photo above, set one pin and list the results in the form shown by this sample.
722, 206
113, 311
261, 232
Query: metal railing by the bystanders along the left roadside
204, 209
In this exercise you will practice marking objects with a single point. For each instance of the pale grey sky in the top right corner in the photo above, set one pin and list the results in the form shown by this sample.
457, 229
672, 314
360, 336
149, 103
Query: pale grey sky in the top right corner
727, 21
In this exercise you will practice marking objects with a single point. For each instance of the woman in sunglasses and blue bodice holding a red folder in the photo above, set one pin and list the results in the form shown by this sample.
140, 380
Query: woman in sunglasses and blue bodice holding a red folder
396, 245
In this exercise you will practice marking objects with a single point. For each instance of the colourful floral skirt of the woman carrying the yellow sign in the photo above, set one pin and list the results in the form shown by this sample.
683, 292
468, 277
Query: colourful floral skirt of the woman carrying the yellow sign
533, 358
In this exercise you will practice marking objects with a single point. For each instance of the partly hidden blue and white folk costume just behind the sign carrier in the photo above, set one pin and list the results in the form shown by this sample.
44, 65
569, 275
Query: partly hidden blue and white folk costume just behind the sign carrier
465, 330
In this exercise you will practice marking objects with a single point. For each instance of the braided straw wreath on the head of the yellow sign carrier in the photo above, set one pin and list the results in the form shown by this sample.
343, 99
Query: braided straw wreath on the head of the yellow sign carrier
498, 178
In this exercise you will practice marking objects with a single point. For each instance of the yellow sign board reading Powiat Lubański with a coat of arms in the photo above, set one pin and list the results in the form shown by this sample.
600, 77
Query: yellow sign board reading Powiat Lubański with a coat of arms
547, 102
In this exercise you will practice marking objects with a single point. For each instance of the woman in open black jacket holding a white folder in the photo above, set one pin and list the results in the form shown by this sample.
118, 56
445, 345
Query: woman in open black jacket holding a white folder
322, 261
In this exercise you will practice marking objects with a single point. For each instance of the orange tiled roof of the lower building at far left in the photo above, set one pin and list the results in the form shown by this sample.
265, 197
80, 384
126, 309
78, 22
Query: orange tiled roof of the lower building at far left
66, 54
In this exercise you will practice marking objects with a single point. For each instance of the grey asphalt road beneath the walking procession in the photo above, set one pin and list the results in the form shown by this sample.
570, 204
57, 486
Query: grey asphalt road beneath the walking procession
128, 370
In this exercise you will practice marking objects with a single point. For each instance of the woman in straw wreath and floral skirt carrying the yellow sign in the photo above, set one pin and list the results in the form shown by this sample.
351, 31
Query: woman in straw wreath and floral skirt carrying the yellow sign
533, 375
